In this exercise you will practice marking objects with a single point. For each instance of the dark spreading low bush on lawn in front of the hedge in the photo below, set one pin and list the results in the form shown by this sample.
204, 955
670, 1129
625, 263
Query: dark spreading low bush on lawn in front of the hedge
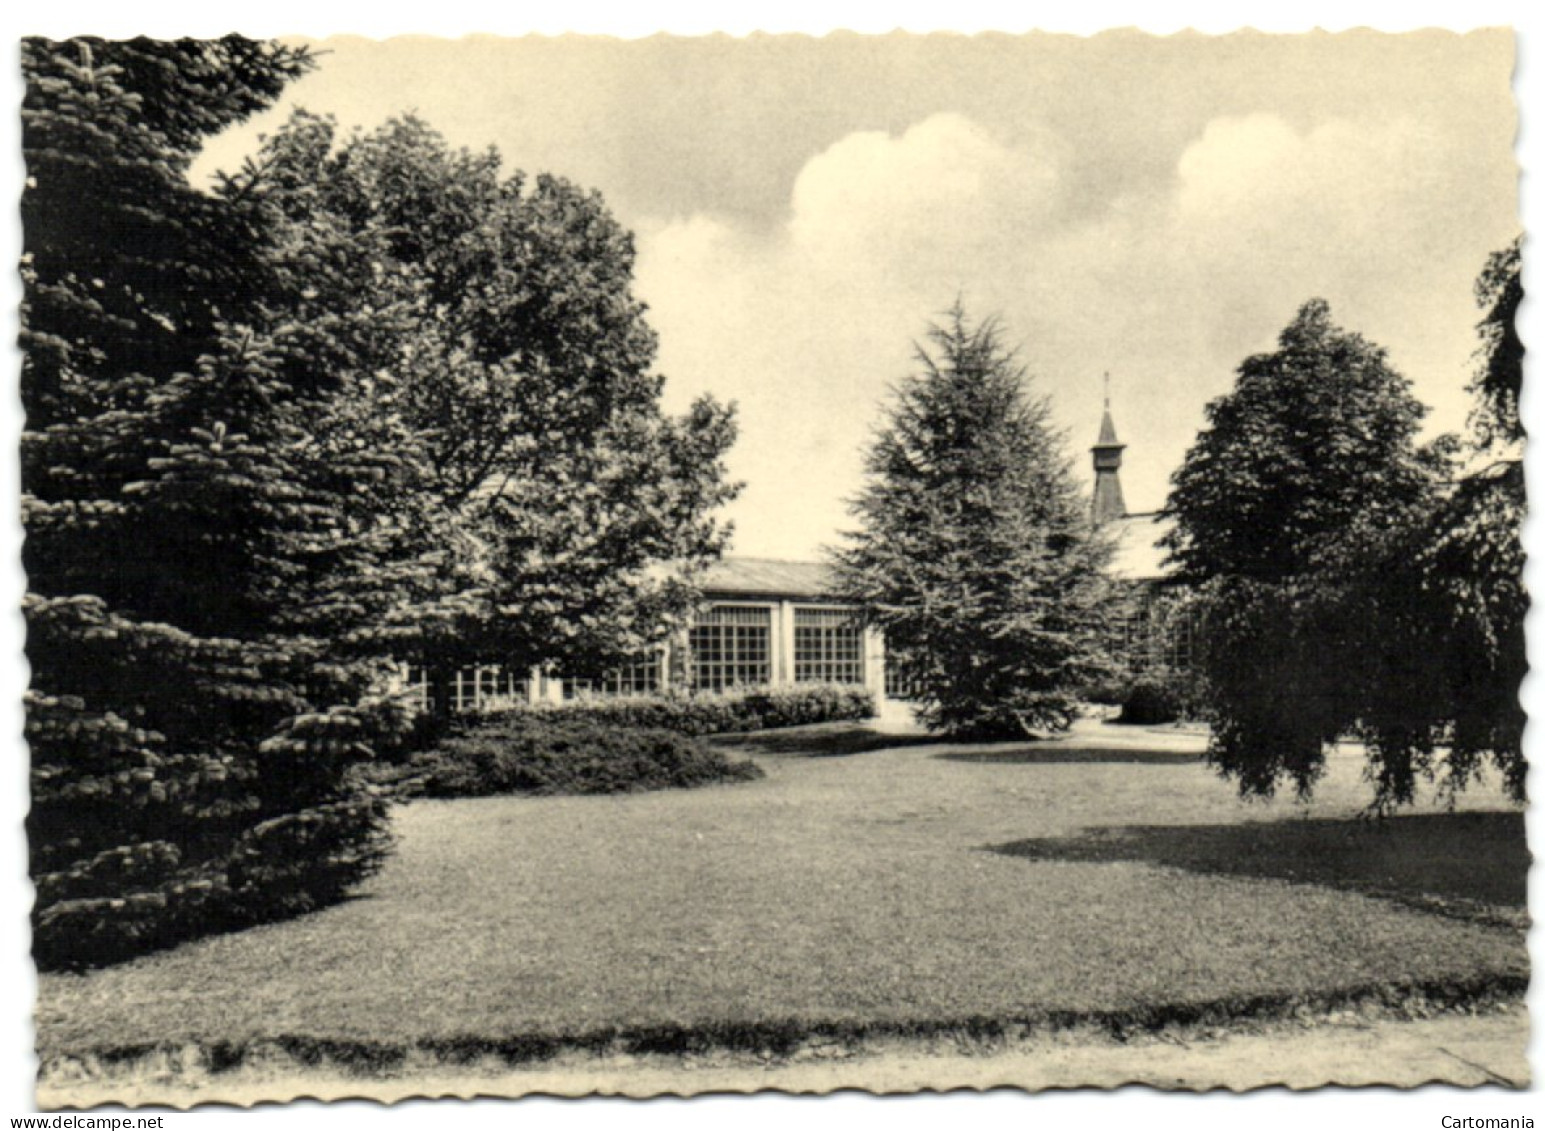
537, 753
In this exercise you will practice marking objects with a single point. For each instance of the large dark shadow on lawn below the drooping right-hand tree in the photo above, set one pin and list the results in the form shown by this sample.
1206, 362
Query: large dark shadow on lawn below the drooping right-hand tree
1470, 866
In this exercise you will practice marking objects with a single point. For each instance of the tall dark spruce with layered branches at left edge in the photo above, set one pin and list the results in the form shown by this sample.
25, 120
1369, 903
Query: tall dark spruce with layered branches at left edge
191, 725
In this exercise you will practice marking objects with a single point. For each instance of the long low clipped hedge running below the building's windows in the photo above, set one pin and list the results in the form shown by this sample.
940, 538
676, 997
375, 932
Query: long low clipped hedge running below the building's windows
721, 713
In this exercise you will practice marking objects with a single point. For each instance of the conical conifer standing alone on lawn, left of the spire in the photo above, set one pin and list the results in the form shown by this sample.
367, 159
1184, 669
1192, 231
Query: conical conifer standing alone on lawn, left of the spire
976, 554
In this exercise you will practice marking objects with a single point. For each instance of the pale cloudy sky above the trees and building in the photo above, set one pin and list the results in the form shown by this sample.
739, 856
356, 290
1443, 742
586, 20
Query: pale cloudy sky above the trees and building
1152, 208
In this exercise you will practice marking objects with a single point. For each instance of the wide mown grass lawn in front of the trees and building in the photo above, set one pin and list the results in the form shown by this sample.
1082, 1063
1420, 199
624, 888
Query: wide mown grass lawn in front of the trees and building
868, 885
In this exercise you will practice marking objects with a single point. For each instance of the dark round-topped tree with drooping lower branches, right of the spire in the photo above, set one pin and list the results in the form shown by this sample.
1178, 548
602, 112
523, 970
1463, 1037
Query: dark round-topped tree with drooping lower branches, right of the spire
1339, 572
